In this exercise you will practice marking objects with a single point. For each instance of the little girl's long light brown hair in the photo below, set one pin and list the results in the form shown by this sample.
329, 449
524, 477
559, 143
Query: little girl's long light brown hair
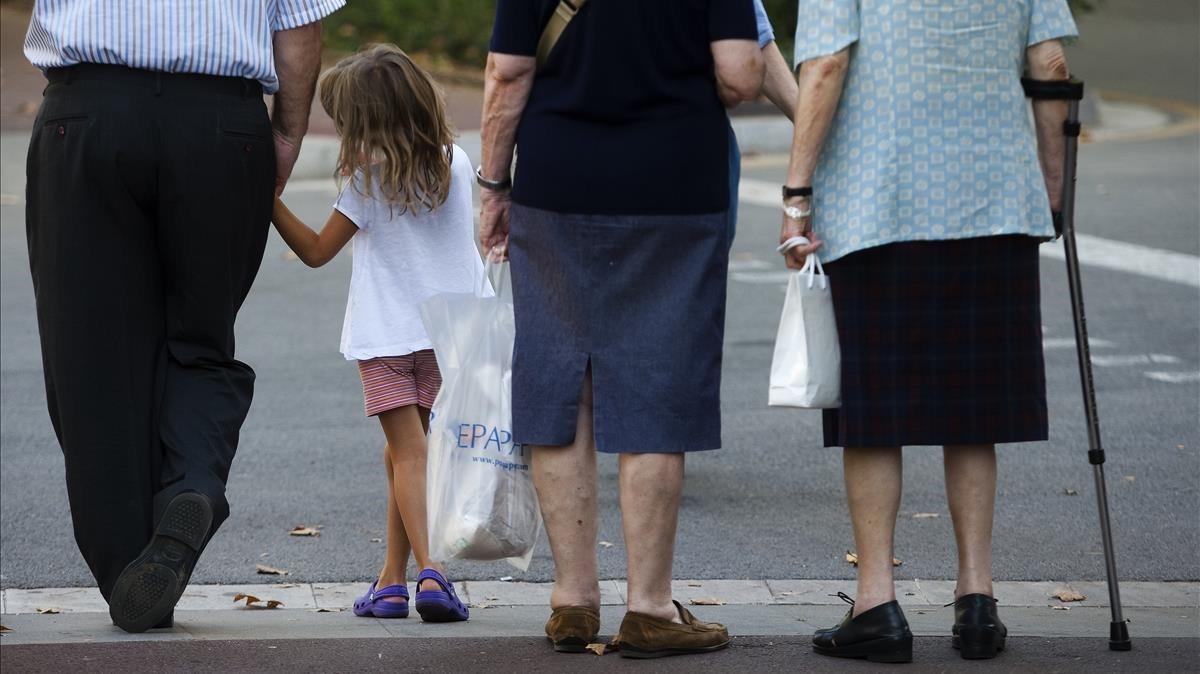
392, 121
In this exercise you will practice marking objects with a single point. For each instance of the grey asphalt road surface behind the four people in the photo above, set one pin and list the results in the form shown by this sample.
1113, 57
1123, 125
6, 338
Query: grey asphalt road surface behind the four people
769, 505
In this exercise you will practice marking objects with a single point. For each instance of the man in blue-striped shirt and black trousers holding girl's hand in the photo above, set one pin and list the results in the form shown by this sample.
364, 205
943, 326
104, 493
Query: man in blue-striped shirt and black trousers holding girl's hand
152, 173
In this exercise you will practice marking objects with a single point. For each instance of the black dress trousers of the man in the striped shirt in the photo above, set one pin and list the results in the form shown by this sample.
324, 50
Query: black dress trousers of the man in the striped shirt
148, 204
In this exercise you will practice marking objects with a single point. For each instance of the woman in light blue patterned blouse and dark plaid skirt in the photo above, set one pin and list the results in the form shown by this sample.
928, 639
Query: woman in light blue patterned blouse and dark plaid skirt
929, 204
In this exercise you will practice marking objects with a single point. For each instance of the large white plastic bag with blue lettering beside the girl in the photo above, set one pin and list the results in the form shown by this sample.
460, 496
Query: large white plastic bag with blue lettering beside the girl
481, 497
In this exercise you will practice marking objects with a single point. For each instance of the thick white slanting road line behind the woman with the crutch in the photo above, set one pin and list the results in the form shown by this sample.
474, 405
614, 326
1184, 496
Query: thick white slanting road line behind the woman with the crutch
1094, 251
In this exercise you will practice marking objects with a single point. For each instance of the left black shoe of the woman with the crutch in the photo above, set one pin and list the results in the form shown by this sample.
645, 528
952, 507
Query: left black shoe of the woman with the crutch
880, 635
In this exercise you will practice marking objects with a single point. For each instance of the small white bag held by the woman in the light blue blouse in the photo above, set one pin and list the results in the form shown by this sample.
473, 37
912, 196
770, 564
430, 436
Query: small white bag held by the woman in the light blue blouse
806, 371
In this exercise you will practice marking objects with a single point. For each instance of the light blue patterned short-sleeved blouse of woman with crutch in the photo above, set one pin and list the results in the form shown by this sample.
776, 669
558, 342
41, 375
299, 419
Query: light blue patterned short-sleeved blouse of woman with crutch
933, 139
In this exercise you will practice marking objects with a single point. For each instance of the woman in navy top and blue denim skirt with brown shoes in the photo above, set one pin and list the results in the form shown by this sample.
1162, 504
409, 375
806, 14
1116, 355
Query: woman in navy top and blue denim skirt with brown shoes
617, 232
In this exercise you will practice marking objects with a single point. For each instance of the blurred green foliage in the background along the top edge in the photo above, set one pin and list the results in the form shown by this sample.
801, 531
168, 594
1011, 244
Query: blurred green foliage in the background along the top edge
455, 33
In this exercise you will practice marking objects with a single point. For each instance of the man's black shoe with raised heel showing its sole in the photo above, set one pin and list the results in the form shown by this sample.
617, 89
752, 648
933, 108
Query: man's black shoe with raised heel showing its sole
147, 592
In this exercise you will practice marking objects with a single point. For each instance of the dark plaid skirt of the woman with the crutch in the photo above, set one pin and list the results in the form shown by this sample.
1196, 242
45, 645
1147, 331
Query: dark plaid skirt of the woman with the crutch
941, 345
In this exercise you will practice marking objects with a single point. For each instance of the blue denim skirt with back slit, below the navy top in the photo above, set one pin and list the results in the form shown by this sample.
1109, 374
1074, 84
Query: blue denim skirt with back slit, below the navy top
640, 300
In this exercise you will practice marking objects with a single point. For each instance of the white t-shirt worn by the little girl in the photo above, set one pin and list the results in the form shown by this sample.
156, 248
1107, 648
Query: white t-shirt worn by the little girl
403, 260
